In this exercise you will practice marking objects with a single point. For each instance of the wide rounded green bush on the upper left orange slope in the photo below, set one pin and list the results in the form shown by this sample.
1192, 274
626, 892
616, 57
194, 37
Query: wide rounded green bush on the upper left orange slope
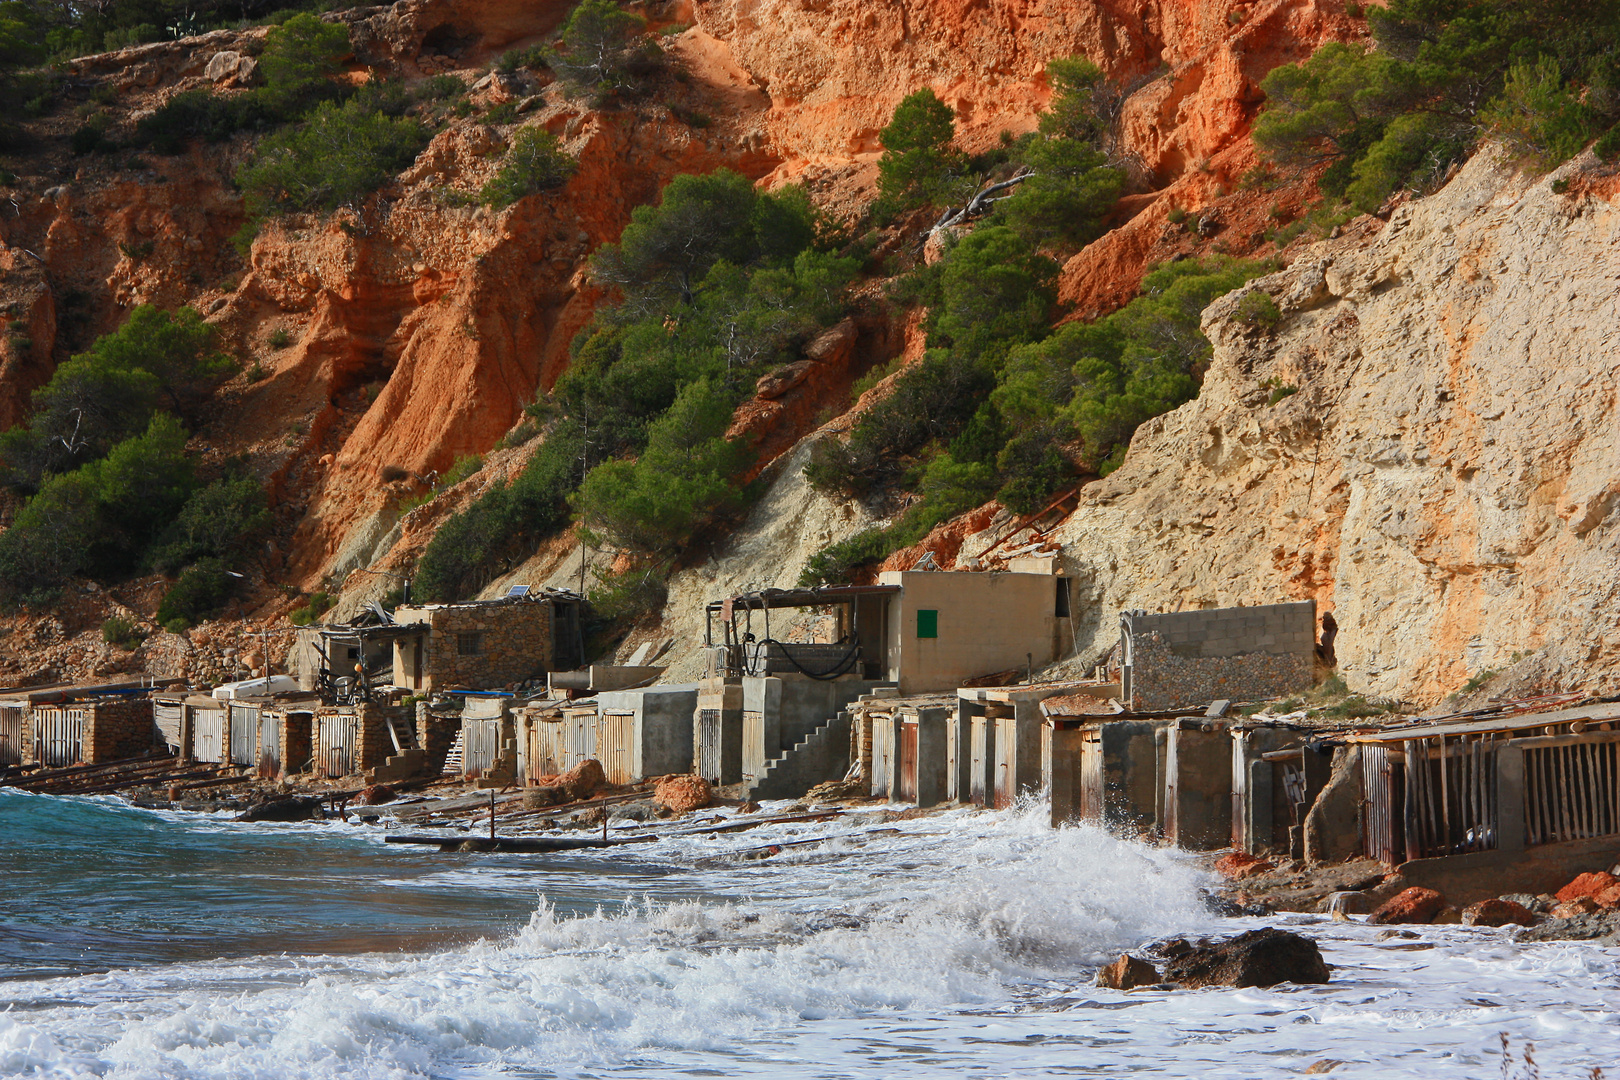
336, 158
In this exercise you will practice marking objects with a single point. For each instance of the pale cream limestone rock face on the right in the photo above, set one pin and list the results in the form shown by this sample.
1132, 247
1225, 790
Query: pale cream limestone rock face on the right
1444, 480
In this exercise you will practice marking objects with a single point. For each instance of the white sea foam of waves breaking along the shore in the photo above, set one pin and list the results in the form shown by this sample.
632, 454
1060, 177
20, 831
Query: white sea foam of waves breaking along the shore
960, 945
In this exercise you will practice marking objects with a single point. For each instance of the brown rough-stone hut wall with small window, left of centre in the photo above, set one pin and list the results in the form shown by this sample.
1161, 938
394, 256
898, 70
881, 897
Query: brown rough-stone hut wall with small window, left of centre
514, 644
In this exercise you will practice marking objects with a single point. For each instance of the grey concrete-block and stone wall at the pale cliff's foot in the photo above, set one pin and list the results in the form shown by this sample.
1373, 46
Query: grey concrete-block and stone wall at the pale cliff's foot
1242, 653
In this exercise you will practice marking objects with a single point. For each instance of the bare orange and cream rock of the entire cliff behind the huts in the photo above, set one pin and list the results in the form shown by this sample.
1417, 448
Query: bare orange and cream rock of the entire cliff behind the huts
1423, 444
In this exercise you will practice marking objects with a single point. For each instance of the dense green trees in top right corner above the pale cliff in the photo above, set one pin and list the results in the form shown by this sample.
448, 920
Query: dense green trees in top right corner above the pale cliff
1537, 75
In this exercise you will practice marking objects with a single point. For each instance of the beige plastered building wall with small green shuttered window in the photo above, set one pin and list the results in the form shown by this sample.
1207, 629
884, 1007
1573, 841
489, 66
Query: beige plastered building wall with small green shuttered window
987, 623
